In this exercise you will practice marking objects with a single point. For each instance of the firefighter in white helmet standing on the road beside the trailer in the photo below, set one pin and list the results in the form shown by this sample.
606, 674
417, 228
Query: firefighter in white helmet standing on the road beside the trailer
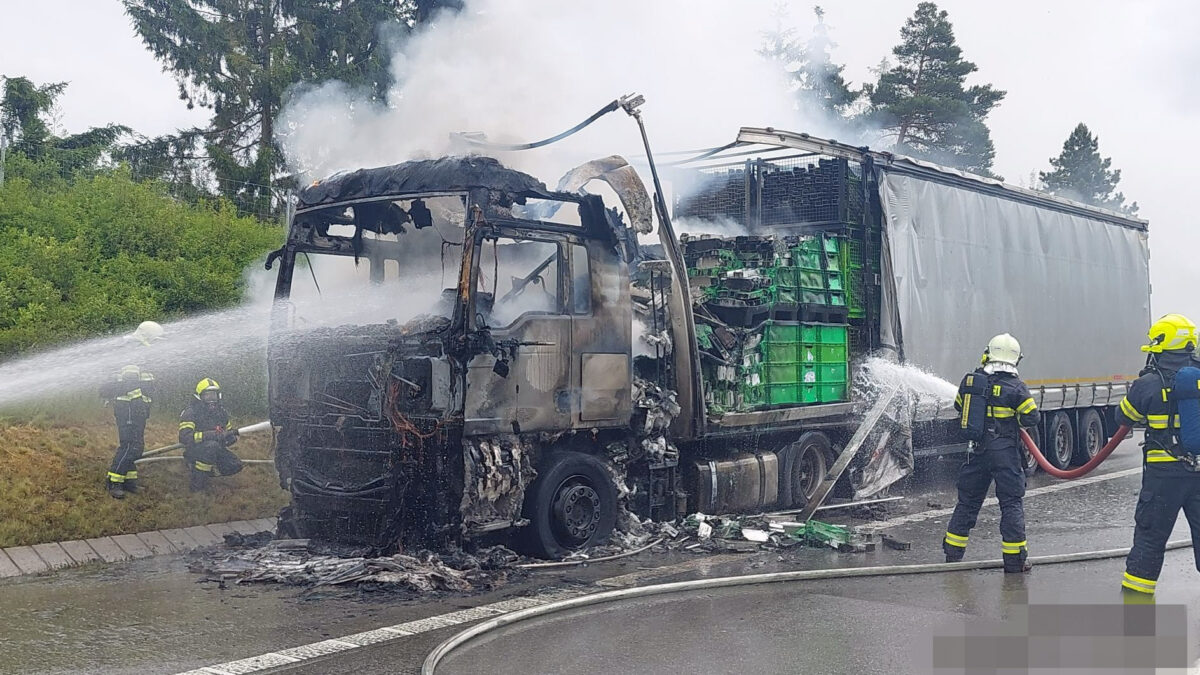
994, 405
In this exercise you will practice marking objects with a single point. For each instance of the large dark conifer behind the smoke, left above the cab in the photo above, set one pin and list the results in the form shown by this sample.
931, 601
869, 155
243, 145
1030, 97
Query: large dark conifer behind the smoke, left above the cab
239, 58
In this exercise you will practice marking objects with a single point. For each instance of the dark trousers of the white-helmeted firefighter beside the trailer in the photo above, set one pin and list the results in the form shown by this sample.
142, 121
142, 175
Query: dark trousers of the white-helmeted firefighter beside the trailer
1004, 467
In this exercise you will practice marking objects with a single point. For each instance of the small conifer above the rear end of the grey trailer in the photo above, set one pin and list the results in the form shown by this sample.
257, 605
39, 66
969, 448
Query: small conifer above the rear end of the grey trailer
1081, 174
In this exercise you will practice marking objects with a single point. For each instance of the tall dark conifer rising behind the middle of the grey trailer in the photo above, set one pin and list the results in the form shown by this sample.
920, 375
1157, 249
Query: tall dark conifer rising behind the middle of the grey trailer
925, 103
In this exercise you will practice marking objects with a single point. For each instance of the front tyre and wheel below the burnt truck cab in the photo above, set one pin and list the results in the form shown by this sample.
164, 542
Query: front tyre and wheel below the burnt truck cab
571, 506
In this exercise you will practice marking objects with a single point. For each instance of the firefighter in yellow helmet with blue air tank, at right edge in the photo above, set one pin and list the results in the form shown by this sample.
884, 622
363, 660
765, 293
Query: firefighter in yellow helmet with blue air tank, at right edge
1171, 481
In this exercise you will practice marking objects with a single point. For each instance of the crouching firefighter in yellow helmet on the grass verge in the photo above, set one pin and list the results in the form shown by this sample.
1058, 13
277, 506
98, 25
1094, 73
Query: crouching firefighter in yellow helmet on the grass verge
206, 435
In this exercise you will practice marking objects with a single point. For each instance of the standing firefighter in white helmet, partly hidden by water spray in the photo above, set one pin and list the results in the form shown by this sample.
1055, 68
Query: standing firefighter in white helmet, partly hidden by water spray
130, 395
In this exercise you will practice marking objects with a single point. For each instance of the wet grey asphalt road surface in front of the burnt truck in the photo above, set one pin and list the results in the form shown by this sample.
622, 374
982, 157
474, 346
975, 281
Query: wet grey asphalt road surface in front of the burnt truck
157, 617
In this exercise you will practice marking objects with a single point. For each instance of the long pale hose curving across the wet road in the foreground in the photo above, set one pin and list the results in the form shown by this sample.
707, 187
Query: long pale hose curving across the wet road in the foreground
445, 649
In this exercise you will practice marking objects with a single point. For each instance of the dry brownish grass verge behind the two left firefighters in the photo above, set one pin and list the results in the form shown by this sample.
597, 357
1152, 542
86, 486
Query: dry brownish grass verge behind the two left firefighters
52, 483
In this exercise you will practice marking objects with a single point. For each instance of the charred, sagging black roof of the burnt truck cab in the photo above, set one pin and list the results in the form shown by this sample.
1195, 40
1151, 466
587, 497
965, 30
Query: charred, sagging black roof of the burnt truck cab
446, 175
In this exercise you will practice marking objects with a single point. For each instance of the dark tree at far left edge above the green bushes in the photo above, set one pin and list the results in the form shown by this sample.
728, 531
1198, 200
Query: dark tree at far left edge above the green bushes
26, 120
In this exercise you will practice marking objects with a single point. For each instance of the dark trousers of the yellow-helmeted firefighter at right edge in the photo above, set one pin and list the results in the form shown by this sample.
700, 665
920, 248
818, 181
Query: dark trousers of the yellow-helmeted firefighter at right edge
1167, 489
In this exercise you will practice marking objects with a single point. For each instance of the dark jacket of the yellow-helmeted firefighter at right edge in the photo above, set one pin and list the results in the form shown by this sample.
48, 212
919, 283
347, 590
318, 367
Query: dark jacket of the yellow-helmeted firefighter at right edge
1147, 405
